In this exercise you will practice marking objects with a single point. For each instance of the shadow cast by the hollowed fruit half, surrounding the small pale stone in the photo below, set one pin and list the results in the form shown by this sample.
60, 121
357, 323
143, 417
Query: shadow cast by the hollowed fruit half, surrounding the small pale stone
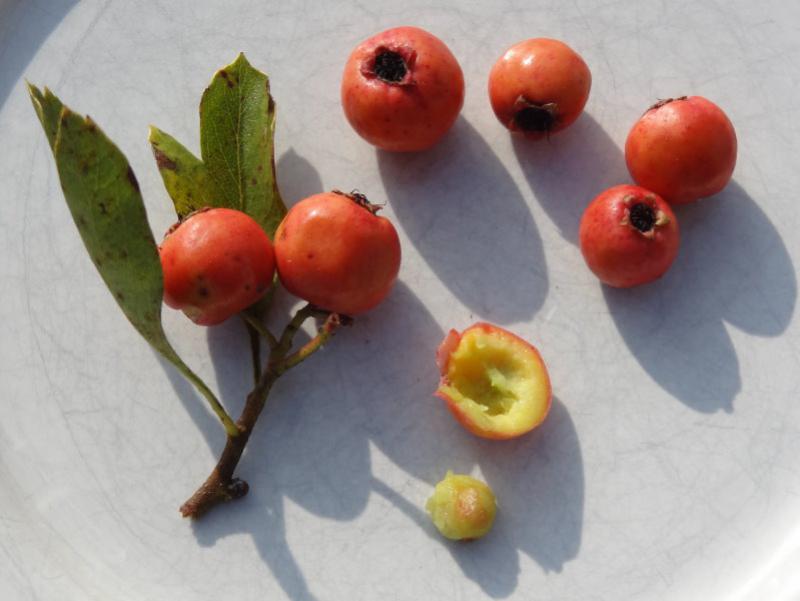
539, 483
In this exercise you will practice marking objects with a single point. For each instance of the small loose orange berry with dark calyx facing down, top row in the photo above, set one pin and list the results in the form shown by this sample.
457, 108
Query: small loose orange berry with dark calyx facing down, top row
539, 87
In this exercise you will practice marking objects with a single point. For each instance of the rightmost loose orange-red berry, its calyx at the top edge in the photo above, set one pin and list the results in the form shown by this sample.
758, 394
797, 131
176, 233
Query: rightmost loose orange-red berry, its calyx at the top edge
683, 149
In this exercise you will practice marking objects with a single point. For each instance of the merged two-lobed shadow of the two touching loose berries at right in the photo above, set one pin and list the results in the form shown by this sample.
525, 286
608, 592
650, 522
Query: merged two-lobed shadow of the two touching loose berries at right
732, 267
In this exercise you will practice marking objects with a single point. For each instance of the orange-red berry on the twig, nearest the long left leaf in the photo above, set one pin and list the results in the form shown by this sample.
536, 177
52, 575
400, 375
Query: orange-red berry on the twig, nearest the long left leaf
216, 263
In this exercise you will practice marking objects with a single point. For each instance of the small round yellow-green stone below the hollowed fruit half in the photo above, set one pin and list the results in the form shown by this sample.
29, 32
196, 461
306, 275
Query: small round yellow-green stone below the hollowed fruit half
462, 507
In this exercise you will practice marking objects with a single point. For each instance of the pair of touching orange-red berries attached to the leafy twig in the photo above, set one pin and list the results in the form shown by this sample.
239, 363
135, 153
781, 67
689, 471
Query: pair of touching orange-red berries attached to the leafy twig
331, 250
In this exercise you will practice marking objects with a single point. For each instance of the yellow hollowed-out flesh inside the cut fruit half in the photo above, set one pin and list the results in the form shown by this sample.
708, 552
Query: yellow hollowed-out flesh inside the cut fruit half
498, 380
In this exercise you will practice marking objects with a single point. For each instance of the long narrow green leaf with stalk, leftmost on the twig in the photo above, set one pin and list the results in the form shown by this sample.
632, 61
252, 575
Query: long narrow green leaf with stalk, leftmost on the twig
105, 202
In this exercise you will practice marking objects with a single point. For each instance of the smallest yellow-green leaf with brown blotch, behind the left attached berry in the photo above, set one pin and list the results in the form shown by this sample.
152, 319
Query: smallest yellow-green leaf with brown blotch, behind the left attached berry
184, 175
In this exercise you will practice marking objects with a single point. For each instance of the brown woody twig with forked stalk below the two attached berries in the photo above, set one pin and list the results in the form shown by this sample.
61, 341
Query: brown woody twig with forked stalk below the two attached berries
221, 486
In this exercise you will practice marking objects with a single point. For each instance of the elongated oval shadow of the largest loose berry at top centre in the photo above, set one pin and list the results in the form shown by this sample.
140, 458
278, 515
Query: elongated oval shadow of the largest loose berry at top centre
460, 207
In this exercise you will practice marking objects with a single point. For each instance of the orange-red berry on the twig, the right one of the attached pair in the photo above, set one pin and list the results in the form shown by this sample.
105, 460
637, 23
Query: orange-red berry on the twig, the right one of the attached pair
333, 251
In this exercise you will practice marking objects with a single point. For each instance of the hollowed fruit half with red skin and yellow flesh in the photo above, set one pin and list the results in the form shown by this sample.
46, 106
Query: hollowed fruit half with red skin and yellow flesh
494, 383
